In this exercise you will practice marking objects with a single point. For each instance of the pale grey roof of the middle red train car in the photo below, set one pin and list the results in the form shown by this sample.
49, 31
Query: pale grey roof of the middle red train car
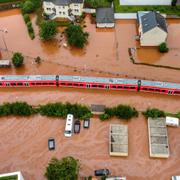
99, 80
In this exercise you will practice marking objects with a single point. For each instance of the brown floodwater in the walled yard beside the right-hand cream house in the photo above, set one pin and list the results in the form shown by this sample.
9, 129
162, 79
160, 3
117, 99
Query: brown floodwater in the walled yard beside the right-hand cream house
172, 58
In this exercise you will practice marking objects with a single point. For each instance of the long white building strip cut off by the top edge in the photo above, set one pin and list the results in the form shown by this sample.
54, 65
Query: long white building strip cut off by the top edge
145, 2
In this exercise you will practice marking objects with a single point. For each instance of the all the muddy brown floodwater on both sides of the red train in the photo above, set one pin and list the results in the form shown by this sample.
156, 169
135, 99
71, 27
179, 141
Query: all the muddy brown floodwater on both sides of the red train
23, 141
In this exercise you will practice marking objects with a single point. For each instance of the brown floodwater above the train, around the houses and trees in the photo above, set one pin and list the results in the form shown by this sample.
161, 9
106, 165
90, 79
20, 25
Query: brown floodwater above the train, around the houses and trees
107, 47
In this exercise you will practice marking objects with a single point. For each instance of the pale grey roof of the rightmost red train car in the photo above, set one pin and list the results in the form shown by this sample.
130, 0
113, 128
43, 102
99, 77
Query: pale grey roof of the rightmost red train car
160, 84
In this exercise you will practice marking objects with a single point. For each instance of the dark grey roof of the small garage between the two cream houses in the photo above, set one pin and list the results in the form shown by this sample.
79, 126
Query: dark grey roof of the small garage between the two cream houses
104, 15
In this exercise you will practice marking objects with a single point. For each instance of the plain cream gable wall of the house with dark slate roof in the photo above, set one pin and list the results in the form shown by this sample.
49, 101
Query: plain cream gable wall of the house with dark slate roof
153, 38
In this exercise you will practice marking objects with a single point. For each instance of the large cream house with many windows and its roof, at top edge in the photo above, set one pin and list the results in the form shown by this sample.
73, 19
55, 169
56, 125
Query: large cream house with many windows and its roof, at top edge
63, 8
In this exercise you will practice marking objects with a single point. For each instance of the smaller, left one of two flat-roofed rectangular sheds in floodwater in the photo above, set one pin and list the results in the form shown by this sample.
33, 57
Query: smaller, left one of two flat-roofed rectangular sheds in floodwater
118, 140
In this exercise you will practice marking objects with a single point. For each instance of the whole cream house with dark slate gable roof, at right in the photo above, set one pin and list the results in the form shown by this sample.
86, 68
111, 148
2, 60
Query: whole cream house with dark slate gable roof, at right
152, 28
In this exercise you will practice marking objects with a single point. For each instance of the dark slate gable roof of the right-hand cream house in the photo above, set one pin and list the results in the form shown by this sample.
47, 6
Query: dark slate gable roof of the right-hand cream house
151, 20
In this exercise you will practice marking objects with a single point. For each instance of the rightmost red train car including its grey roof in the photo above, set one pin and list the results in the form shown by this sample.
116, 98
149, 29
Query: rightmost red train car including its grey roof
160, 87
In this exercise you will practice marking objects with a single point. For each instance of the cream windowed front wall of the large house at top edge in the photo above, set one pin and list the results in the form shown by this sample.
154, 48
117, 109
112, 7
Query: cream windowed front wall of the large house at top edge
63, 11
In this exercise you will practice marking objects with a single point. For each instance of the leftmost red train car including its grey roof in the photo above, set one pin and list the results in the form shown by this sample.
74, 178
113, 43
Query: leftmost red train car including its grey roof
27, 81
